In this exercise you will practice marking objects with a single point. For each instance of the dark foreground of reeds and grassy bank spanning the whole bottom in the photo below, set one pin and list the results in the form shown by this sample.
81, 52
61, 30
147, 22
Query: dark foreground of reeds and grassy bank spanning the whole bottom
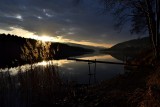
43, 87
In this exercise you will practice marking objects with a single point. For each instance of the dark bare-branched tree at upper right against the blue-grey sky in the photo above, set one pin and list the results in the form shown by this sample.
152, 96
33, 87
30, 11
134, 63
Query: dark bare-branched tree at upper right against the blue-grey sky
142, 14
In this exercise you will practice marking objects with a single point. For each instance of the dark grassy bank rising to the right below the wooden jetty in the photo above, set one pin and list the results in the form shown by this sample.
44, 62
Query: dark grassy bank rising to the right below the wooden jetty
136, 88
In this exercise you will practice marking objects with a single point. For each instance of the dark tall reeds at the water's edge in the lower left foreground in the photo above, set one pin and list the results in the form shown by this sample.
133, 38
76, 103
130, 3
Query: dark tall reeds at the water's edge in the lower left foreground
39, 87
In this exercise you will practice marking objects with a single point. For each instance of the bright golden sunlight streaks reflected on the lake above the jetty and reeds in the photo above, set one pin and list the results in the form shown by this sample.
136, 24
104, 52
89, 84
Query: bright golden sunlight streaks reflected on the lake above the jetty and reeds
60, 63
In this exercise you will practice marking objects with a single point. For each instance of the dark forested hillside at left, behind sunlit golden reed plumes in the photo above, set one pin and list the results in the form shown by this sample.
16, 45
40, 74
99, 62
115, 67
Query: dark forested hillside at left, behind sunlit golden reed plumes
15, 50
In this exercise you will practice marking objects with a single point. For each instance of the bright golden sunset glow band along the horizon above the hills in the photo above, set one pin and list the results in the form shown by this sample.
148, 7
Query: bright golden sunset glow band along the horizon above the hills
27, 34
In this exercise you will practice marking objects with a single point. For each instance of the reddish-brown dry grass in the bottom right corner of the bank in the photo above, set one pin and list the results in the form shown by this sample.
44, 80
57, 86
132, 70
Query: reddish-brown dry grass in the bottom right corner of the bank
151, 97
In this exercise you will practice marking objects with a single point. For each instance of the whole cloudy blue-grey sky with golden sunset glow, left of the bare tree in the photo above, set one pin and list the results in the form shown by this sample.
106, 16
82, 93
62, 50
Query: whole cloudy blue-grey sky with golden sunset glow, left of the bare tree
62, 20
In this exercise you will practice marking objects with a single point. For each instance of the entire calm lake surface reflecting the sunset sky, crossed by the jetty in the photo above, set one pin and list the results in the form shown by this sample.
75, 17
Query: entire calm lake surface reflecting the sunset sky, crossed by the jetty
77, 71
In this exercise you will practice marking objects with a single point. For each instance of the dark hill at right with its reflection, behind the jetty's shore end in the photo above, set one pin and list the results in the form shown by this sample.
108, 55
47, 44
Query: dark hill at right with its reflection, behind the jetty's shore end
128, 48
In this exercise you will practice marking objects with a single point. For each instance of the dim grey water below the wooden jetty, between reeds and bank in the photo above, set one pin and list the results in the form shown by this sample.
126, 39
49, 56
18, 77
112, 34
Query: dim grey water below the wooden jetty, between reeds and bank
79, 71
